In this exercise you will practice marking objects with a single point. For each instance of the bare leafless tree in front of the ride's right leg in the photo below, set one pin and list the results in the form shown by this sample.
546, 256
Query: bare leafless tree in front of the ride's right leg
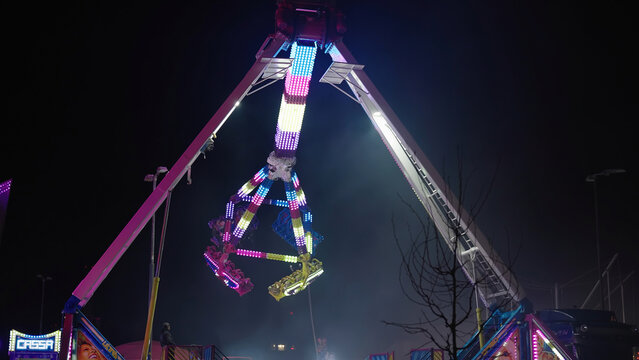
432, 276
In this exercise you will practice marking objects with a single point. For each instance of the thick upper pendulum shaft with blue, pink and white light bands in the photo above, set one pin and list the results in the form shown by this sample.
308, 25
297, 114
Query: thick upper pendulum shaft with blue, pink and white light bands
289, 122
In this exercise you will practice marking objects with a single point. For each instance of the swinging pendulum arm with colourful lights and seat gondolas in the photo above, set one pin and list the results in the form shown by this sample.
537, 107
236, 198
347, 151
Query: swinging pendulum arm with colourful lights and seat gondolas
294, 221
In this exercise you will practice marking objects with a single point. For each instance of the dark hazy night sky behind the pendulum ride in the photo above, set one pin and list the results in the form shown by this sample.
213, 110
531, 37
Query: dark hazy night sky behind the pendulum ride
98, 94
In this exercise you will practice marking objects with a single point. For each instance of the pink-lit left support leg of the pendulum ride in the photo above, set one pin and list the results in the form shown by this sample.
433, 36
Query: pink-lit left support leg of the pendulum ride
112, 255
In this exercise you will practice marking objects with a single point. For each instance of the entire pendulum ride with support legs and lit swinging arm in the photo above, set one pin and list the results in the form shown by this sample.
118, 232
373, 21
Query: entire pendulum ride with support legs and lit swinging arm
304, 29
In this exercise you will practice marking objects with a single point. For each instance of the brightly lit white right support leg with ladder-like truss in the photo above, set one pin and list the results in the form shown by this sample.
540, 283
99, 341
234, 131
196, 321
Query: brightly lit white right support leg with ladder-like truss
477, 257
